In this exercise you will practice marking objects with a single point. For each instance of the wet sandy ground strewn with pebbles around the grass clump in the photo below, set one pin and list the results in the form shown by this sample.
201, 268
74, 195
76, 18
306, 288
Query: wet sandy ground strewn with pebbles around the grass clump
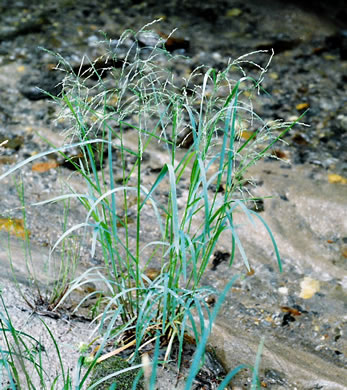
301, 311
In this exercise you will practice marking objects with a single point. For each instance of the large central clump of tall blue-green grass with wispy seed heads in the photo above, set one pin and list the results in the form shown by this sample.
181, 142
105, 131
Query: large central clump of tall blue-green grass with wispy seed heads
136, 92
